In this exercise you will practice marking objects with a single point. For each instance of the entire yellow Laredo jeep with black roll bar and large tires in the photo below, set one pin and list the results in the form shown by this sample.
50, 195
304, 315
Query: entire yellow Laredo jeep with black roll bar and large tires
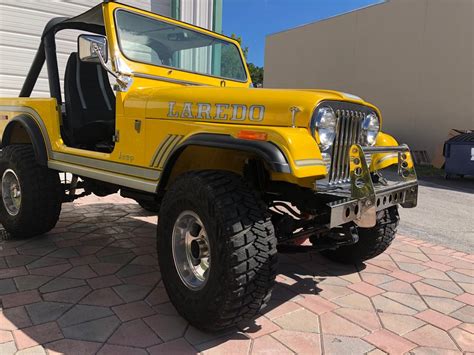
232, 171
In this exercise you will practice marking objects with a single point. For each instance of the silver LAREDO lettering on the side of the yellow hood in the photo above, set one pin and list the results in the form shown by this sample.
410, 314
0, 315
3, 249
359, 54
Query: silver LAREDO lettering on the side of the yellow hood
222, 112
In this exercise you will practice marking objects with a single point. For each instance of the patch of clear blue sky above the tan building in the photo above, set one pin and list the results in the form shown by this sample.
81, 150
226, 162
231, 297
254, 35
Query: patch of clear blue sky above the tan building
253, 20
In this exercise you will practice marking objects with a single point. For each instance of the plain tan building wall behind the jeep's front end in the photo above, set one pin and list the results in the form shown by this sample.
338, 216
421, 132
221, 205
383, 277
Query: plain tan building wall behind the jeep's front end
414, 59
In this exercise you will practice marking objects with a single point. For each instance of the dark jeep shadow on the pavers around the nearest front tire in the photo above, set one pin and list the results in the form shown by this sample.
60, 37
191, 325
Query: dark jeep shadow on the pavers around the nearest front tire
93, 285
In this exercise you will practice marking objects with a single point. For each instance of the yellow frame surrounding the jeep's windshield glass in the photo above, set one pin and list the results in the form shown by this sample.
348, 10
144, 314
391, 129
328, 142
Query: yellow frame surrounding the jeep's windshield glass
192, 28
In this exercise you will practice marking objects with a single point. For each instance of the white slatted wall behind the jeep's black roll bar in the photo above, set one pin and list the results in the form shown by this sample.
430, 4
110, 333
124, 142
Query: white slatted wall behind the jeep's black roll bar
21, 25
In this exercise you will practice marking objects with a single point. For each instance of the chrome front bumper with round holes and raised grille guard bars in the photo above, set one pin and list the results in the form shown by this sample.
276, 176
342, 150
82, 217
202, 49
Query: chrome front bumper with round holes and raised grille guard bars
362, 198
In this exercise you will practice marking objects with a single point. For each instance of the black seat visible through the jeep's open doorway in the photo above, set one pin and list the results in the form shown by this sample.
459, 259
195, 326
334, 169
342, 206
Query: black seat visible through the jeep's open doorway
90, 104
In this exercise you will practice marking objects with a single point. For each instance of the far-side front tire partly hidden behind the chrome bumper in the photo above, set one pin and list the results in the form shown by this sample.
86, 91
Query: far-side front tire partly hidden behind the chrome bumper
372, 241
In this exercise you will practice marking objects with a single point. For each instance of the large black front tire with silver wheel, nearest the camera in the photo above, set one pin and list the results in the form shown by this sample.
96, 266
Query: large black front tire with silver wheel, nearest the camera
227, 272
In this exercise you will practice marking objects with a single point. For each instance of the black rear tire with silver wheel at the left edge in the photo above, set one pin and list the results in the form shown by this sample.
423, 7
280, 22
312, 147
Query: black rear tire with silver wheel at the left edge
31, 195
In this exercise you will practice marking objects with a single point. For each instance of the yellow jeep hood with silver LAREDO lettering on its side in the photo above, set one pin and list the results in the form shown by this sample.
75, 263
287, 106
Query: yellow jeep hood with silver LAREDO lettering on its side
267, 107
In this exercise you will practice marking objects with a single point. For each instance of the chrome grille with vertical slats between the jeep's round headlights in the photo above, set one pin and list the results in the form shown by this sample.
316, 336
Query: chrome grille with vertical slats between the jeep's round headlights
349, 124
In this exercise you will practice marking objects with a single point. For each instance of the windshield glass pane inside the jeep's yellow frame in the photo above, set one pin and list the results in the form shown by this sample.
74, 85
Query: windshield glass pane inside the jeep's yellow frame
147, 40
